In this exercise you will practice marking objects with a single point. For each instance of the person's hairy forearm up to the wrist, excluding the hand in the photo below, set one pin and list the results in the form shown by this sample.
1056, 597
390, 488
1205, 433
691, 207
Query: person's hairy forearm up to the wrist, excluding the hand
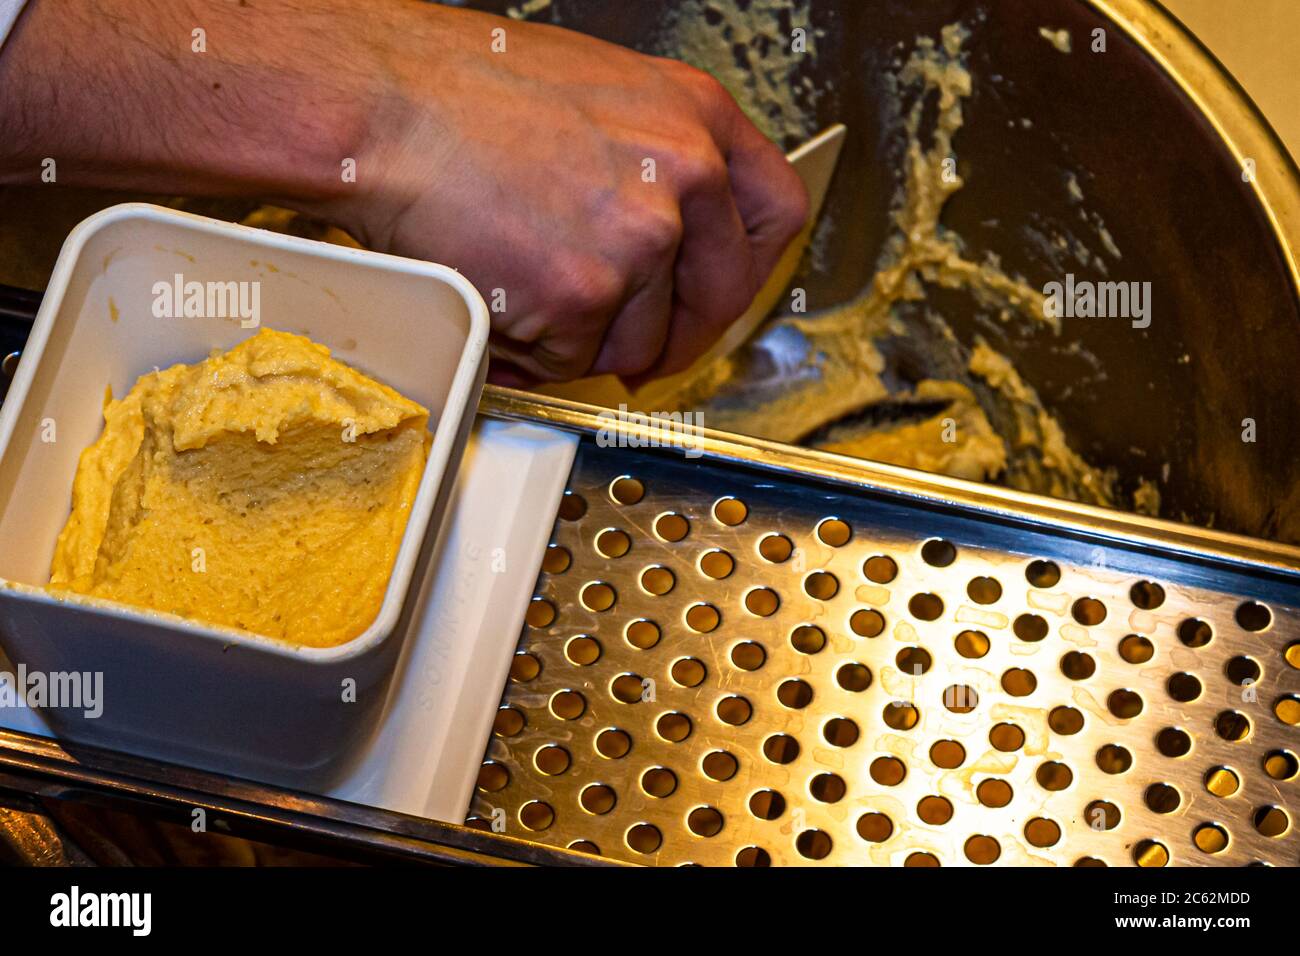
116, 94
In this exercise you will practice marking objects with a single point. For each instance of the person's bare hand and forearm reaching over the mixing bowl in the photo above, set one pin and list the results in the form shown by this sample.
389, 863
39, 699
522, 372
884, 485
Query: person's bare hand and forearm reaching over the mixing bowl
523, 168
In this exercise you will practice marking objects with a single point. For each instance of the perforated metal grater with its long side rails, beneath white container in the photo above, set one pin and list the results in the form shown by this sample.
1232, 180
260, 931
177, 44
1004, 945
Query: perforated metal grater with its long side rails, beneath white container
1194, 776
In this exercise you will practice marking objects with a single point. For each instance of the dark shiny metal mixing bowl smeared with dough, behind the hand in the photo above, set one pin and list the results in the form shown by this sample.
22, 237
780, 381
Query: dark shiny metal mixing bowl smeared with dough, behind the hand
1158, 135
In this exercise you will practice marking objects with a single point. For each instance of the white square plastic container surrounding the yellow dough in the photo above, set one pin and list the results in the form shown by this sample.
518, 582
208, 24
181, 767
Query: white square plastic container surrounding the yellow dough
175, 689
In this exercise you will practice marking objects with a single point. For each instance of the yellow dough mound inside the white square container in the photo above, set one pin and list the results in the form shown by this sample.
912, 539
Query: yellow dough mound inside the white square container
266, 488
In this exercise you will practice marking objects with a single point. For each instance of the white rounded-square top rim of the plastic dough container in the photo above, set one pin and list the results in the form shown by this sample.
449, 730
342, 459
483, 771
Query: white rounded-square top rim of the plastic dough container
462, 401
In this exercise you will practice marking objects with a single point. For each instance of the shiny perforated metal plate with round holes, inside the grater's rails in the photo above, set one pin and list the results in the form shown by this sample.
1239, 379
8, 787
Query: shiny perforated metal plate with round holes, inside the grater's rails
730, 668
